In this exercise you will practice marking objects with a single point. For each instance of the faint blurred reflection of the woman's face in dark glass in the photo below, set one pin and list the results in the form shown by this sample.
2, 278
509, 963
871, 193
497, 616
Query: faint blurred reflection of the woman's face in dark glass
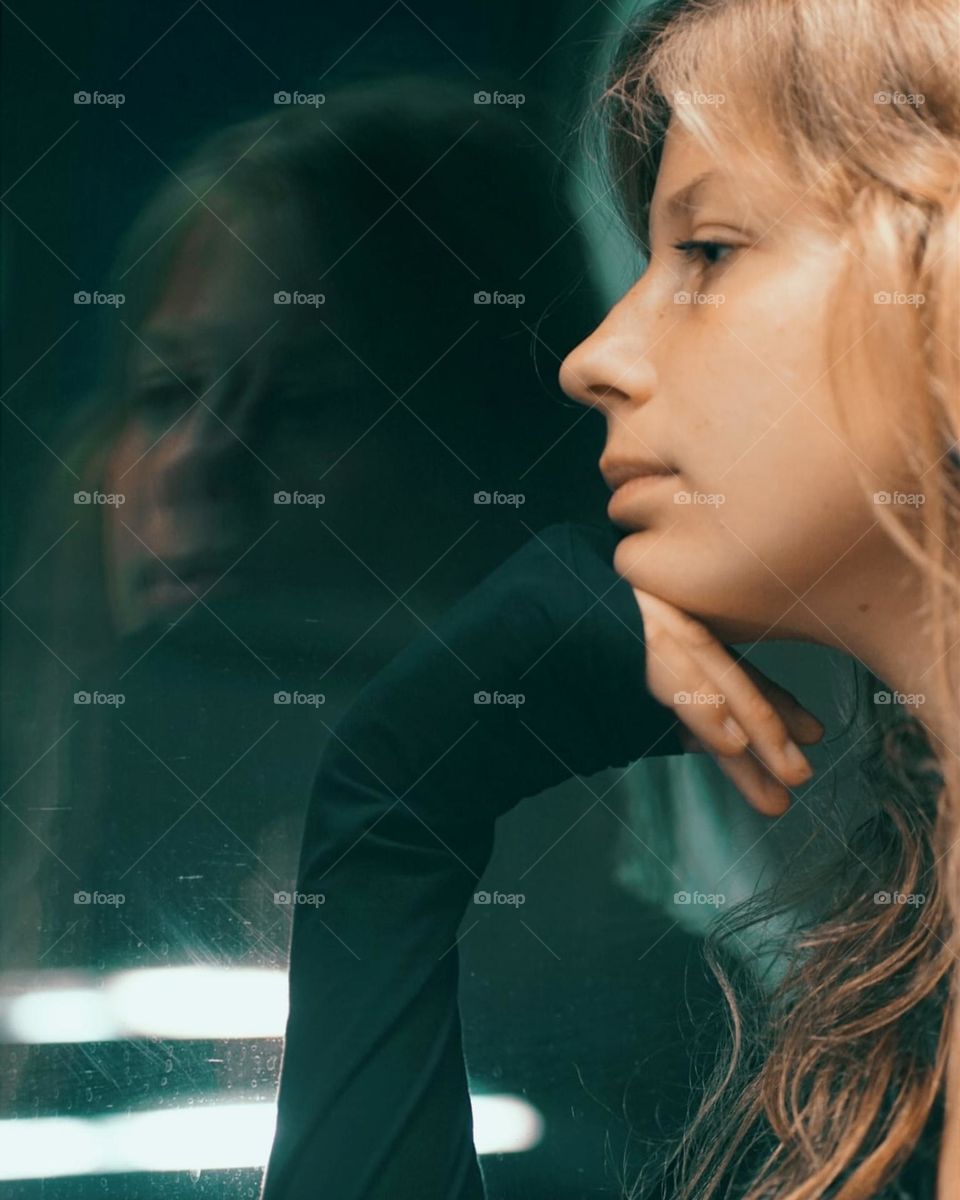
184, 464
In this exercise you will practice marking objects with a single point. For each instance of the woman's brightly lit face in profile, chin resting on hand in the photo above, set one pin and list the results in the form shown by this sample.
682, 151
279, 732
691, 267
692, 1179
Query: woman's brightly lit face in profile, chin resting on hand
716, 367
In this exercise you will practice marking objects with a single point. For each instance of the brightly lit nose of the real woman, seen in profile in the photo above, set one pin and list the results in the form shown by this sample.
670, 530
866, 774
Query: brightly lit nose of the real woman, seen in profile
611, 368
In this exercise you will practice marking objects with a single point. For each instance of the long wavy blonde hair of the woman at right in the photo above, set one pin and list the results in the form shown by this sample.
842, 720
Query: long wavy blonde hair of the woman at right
831, 1082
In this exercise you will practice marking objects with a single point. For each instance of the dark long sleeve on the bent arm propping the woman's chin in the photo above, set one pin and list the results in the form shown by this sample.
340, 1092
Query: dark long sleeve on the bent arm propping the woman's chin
537, 675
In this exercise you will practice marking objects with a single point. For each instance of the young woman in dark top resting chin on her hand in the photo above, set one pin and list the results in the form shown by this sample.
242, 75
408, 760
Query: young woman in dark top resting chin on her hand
783, 405
